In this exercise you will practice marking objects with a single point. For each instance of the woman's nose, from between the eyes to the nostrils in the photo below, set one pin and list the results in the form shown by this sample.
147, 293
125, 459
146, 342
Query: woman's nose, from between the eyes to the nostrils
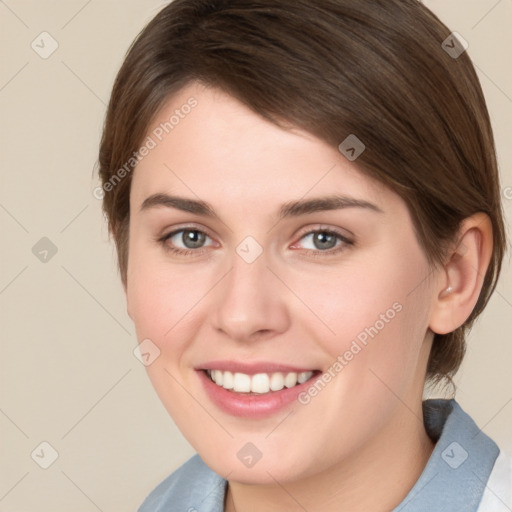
250, 302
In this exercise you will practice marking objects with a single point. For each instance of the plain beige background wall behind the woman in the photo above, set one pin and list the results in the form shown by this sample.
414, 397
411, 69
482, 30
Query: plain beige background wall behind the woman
68, 375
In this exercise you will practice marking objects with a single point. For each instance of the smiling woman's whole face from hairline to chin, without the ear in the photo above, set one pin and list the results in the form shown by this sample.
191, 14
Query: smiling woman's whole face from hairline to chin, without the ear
244, 262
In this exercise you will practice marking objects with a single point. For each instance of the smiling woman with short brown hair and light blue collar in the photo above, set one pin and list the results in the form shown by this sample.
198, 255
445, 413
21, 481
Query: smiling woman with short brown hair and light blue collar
305, 202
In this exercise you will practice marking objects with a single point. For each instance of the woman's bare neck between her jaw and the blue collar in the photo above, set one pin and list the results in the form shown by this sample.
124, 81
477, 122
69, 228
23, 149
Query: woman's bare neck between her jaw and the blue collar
377, 478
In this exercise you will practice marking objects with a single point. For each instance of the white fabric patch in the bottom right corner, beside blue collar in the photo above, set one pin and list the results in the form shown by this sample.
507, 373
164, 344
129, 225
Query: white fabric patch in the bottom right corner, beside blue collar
497, 496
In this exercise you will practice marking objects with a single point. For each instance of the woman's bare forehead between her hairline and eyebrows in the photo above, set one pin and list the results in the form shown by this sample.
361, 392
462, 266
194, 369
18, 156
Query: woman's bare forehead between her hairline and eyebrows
206, 143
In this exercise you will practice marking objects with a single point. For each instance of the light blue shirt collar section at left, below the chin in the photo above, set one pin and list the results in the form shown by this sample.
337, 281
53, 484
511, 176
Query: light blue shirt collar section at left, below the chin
192, 486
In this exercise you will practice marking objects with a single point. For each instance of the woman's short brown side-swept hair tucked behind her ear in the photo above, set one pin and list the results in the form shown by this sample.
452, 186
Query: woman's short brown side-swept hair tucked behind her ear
373, 68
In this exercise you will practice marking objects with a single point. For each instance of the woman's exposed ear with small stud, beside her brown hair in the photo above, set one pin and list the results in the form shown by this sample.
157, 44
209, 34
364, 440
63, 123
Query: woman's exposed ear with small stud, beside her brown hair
460, 284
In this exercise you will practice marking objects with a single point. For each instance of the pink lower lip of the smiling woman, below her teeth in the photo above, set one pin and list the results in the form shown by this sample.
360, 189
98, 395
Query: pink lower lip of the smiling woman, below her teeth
251, 406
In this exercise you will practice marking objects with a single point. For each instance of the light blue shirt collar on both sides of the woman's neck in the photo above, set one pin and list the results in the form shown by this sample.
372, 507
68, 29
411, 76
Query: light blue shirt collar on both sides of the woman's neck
454, 479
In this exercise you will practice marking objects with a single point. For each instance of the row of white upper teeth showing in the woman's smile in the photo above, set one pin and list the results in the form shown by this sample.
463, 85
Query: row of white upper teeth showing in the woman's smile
259, 383
